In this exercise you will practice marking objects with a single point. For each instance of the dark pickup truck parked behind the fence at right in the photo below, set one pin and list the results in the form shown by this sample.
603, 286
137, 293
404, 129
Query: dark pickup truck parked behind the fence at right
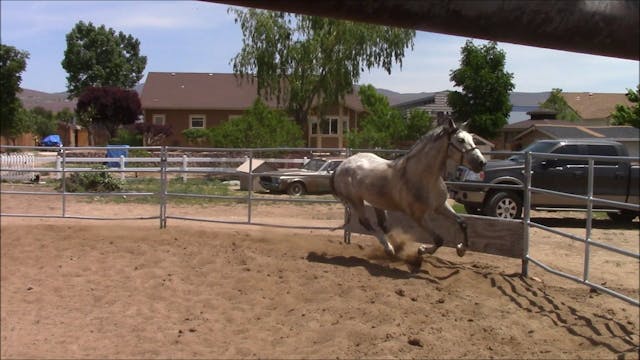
613, 180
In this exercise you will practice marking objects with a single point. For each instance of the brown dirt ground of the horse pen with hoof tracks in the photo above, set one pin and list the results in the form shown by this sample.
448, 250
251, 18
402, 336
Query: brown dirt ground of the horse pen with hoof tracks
76, 288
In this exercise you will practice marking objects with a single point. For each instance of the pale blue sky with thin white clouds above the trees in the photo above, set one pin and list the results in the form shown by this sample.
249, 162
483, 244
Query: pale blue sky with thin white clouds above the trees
194, 36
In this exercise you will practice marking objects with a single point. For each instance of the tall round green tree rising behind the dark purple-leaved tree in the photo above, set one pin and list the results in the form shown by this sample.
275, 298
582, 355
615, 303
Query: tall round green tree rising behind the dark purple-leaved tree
97, 56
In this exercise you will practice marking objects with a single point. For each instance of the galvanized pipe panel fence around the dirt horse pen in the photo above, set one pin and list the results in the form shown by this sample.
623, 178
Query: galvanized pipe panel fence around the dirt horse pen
171, 164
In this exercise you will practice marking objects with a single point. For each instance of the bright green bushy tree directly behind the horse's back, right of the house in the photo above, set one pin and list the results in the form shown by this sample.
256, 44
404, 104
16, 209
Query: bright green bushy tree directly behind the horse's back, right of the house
383, 126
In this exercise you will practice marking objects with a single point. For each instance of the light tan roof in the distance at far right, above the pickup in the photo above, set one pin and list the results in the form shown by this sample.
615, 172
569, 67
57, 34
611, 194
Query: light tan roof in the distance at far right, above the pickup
595, 105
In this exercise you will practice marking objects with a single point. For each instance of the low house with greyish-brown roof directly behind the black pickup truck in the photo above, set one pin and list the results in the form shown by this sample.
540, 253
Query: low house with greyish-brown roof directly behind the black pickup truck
627, 135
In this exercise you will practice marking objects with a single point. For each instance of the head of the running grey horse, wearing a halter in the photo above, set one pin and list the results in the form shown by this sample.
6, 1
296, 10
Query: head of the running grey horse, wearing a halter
461, 144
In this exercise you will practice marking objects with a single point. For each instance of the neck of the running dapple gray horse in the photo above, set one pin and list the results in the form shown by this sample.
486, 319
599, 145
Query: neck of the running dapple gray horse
426, 160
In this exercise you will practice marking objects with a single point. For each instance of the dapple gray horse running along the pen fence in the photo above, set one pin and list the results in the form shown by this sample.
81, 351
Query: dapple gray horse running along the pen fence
411, 184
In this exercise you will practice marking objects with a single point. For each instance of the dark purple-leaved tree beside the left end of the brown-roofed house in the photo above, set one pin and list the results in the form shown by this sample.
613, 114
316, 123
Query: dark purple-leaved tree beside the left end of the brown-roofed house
109, 107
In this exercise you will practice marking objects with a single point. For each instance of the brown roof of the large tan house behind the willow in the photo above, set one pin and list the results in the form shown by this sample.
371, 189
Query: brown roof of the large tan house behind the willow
164, 90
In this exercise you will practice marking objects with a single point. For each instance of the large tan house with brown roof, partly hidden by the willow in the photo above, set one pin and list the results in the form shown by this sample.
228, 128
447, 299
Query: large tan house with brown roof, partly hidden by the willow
205, 100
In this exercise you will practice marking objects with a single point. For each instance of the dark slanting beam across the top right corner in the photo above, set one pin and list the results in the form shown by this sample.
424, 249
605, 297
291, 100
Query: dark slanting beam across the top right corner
608, 28
